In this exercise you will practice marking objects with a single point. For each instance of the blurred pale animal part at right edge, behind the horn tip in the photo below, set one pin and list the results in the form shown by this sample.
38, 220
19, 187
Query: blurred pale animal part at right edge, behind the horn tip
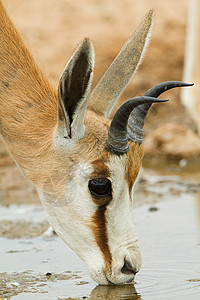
190, 98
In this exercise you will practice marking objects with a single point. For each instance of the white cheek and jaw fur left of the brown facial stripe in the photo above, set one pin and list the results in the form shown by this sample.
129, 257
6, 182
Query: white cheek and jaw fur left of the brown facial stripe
71, 221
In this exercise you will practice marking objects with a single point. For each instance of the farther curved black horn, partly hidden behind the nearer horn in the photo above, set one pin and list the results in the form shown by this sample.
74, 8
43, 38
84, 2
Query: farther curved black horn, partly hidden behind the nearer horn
137, 118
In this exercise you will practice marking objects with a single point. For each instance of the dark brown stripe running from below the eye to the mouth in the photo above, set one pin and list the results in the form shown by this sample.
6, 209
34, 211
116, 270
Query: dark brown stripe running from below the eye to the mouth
101, 236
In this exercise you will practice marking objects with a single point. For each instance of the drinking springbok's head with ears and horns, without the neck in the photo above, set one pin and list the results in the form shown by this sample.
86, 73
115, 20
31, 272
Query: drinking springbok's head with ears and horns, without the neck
100, 160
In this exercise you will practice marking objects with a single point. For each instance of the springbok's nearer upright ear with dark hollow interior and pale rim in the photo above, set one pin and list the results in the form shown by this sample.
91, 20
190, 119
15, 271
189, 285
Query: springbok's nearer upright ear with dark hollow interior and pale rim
73, 92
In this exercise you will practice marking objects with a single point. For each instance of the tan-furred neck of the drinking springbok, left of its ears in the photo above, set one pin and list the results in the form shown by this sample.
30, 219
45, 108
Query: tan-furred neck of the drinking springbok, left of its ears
32, 112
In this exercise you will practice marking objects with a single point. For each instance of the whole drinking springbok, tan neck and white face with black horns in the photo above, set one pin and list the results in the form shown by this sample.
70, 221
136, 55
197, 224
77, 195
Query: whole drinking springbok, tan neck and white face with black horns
82, 165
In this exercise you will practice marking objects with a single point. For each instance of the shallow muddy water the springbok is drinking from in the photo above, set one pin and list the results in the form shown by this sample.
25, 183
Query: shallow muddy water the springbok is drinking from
167, 214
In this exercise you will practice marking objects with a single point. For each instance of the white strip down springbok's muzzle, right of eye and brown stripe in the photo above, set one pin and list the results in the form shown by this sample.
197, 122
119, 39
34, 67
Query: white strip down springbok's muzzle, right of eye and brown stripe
122, 237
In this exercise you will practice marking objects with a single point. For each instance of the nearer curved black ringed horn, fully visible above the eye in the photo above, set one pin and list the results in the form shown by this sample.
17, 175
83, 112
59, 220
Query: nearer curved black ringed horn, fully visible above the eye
117, 141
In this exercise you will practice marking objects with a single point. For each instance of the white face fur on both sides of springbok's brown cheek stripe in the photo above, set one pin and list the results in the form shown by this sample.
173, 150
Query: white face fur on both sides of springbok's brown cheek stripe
71, 220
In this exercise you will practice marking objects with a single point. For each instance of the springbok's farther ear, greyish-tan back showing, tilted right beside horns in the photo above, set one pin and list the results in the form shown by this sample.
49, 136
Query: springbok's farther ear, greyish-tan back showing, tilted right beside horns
109, 88
